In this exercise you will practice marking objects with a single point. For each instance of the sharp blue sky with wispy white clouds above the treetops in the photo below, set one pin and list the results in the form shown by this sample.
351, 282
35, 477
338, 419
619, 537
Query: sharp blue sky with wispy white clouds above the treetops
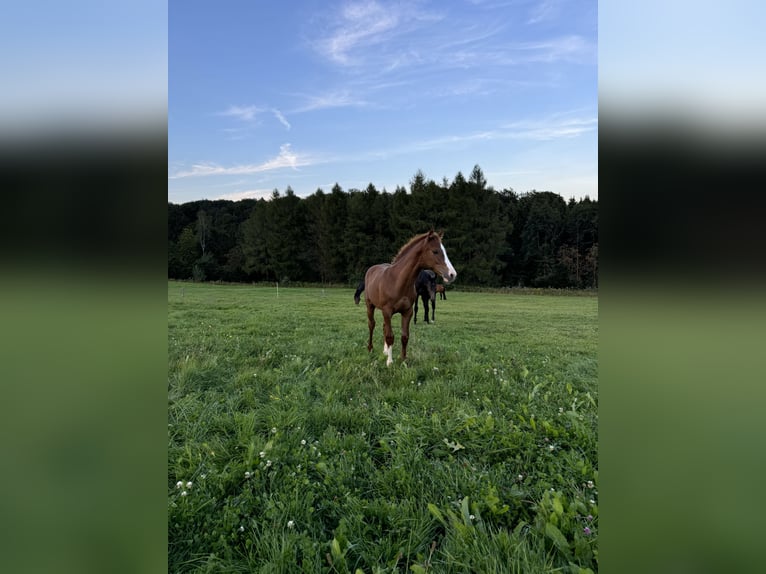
309, 93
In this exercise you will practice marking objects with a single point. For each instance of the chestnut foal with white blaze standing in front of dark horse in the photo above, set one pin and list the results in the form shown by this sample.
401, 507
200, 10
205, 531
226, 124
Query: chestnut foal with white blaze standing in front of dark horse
391, 286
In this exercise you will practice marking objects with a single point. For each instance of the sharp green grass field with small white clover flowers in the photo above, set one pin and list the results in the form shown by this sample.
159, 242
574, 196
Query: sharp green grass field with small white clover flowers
293, 449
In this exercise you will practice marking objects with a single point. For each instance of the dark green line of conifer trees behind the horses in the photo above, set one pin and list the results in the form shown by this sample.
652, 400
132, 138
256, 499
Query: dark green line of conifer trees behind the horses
494, 238
